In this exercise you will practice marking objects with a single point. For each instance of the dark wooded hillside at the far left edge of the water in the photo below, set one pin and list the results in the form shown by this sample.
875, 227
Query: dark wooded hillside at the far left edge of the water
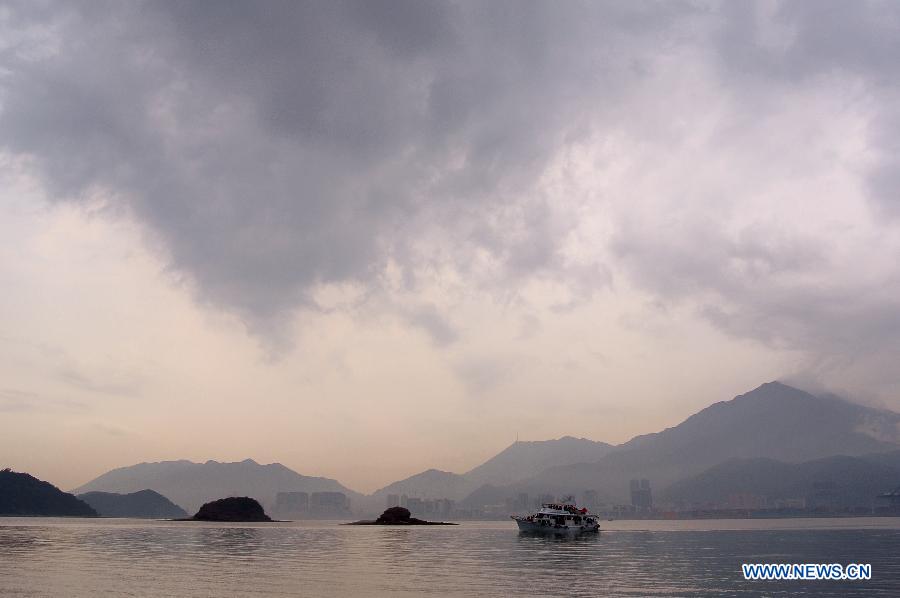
25, 495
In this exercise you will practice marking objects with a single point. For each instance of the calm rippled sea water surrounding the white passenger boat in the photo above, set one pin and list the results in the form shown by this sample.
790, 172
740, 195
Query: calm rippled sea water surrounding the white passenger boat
122, 557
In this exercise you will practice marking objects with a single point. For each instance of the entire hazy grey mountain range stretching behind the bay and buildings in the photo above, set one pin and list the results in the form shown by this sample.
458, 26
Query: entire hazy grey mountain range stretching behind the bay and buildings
771, 425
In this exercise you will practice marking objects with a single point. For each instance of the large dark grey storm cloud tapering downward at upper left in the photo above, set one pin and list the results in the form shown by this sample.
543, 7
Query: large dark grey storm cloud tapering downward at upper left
275, 146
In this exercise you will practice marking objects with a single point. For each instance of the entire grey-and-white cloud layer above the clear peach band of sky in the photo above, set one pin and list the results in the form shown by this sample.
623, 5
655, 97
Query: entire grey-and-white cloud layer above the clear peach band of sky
736, 161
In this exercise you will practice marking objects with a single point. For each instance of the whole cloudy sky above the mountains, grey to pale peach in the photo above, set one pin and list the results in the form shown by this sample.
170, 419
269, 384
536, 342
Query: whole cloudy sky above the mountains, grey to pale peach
368, 238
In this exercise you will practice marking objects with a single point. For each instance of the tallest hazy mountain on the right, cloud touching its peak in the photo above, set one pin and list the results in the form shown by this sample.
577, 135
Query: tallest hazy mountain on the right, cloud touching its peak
774, 421
